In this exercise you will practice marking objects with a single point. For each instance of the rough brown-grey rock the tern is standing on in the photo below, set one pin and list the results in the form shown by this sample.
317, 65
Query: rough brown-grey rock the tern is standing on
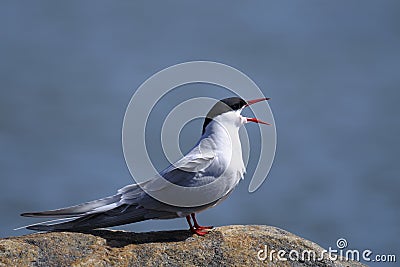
224, 246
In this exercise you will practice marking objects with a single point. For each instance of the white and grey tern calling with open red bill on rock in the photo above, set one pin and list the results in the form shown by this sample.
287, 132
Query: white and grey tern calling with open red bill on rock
220, 158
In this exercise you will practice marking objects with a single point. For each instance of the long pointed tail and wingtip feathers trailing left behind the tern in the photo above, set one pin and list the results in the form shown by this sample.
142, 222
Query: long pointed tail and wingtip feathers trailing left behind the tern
119, 209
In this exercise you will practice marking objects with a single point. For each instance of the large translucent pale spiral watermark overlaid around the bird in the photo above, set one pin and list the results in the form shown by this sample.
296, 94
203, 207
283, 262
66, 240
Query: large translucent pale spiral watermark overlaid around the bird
151, 92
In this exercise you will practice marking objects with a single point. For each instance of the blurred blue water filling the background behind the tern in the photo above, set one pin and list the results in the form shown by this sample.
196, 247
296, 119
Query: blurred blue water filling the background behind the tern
68, 70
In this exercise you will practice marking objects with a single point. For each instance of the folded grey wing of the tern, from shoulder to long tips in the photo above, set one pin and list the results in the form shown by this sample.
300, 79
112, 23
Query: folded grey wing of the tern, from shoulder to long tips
131, 203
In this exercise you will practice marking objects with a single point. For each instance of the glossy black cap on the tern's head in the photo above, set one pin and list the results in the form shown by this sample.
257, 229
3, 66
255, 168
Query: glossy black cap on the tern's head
222, 106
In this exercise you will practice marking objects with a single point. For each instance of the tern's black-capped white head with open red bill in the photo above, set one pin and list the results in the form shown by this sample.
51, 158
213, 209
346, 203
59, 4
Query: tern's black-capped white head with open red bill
228, 111
